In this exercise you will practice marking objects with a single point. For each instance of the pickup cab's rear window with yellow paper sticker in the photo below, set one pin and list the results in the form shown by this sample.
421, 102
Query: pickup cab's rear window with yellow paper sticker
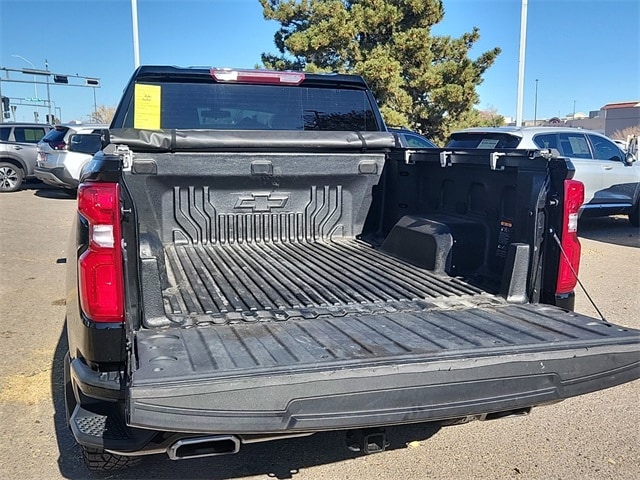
222, 106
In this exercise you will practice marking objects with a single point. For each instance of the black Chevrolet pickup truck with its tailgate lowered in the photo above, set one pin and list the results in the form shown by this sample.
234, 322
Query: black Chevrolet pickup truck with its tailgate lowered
255, 257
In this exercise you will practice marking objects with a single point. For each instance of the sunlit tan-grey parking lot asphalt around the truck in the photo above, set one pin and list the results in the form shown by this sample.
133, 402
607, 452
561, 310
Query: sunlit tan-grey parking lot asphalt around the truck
595, 436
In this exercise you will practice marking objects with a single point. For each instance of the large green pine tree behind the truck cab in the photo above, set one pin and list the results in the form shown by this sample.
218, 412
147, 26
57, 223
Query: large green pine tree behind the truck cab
421, 81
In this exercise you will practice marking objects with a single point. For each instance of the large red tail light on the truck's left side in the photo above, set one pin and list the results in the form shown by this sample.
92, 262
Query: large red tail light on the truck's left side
100, 266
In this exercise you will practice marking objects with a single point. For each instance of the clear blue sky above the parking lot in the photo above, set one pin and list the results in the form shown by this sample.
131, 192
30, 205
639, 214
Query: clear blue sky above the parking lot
582, 51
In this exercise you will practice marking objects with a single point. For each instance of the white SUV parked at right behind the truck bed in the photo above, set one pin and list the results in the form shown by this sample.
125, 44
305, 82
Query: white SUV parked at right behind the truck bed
611, 177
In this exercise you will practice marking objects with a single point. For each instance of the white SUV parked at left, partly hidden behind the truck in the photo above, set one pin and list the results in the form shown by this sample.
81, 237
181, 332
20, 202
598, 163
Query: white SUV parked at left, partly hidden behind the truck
63, 153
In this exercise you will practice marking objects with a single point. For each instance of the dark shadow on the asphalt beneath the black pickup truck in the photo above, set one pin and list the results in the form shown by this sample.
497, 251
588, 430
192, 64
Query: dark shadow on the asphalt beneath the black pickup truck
281, 459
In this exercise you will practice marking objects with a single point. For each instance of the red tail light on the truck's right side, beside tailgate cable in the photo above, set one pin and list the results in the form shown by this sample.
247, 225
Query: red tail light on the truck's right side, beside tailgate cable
570, 255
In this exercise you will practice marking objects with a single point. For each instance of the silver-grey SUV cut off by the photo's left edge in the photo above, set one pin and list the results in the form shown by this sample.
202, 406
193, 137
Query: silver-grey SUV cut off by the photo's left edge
18, 152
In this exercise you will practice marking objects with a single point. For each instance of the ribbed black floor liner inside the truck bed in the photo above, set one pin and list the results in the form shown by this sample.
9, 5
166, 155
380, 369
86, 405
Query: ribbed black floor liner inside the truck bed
261, 281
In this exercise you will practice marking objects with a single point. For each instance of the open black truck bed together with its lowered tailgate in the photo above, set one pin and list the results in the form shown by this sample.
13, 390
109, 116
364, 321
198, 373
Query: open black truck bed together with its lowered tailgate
275, 297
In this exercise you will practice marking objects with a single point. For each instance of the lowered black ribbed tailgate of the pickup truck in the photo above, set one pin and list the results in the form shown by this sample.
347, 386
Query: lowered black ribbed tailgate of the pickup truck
421, 362
